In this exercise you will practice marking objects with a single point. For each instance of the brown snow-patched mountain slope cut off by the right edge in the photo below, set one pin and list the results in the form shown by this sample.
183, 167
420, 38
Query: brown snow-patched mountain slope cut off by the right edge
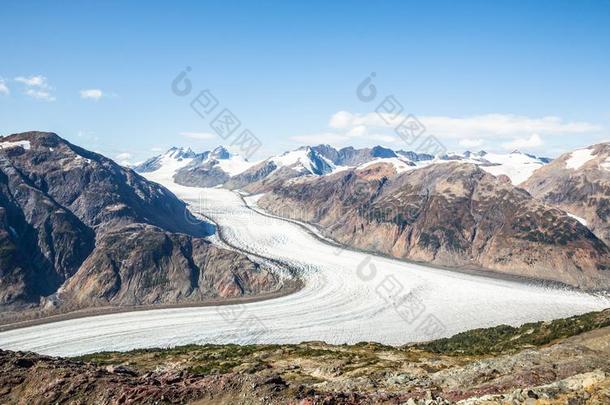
579, 183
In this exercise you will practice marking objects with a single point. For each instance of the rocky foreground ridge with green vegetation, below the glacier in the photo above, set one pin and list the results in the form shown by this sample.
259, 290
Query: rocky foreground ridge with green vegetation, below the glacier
558, 362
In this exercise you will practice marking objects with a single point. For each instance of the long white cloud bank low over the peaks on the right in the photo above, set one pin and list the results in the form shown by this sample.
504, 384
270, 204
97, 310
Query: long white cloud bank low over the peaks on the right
480, 126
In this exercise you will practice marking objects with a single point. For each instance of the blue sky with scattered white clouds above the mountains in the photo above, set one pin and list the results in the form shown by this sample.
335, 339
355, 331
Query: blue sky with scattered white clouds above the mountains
479, 75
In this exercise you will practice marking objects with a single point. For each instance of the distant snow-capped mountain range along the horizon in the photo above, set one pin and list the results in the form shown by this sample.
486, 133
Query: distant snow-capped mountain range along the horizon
220, 167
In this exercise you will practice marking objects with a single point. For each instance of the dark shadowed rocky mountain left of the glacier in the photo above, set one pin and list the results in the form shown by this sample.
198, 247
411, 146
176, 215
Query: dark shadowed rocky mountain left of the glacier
77, 230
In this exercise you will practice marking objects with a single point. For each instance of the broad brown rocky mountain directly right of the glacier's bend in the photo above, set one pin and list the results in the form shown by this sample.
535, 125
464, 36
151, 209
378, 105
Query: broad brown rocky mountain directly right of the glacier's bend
452, 214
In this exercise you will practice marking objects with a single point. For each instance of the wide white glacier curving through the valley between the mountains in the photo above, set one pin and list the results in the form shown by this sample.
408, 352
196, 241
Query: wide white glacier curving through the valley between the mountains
347, 296
